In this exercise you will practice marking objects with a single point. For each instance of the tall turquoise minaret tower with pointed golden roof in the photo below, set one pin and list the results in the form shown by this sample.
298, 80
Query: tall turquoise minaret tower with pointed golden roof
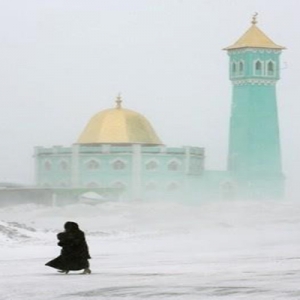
254, 159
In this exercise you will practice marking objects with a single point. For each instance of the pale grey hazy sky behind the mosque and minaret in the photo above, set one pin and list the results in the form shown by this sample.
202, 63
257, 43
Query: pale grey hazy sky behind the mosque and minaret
63, 61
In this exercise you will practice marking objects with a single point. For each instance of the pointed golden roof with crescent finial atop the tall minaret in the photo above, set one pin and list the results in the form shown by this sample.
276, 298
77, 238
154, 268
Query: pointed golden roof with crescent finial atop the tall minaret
254, 38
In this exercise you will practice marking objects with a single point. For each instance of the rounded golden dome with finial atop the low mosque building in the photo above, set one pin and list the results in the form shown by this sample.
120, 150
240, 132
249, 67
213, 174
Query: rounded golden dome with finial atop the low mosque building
119, 126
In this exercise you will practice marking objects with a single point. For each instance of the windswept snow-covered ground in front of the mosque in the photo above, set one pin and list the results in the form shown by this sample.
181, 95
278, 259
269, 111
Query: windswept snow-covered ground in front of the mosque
234, 250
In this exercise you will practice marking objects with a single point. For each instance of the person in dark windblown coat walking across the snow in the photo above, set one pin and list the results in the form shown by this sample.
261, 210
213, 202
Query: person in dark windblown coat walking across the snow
74, 253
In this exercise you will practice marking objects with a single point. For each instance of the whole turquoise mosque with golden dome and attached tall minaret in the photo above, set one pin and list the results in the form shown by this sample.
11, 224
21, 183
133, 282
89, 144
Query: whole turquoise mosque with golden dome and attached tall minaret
119, 149
